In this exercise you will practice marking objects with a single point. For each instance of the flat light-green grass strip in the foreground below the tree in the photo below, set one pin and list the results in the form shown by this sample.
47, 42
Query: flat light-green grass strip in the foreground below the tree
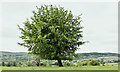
63, 68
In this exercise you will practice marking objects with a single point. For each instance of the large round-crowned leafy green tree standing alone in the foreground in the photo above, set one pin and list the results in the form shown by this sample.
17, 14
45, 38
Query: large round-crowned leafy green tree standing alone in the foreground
52, 33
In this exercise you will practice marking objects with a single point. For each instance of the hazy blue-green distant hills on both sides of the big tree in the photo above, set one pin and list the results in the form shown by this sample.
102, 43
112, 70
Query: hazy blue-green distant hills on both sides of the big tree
23, 56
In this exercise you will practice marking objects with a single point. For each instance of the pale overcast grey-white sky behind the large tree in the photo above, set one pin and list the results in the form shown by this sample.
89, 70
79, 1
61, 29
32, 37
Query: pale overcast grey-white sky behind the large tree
100, 22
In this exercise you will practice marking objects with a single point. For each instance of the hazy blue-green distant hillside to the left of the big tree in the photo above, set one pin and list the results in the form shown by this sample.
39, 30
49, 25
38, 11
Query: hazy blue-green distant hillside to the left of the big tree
15, 56
